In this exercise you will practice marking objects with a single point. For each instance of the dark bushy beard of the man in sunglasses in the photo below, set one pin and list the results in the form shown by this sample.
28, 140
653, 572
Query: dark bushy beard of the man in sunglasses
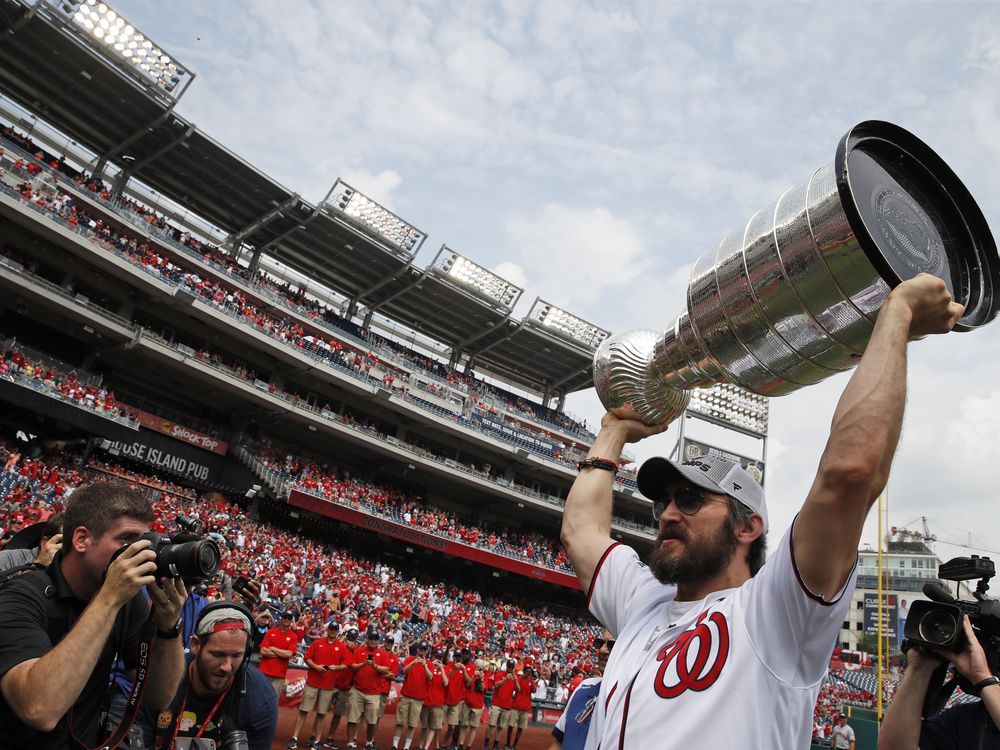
700, 561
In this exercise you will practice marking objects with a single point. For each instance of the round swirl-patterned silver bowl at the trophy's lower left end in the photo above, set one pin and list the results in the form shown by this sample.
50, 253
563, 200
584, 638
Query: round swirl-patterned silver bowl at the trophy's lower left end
624, 382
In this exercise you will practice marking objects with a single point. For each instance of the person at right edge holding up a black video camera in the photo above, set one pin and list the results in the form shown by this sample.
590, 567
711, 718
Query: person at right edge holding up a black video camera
966, 726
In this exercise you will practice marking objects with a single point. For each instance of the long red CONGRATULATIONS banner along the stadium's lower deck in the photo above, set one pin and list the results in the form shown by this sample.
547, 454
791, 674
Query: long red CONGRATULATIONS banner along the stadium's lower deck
357, 517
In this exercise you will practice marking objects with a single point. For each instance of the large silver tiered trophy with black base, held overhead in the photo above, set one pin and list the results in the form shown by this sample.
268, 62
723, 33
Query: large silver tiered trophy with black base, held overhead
791, 298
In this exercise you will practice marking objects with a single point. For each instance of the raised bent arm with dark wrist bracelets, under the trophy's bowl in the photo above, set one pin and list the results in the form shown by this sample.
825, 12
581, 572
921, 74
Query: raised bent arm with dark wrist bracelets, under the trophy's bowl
586, 527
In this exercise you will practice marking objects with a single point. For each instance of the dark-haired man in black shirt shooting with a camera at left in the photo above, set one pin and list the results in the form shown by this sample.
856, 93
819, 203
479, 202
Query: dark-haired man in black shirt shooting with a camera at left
61, 627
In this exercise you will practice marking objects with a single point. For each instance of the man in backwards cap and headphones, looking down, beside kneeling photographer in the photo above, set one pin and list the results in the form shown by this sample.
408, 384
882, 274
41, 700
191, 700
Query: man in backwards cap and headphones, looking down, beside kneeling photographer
218, 695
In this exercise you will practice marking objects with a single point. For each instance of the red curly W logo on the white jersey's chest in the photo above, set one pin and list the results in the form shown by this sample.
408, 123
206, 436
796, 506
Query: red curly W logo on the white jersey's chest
685, 662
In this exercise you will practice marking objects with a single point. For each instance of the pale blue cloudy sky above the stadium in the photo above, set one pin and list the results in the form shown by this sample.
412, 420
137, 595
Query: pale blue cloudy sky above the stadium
590, 152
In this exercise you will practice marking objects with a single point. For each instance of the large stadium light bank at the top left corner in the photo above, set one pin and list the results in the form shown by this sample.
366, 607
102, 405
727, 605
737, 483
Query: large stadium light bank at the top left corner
109, 33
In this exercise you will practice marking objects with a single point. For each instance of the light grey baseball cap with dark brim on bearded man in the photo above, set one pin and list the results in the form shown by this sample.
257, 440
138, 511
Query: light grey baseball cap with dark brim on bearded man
711, 472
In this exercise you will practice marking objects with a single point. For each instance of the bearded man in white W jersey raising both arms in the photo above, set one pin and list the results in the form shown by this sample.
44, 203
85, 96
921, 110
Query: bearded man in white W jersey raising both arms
711, 641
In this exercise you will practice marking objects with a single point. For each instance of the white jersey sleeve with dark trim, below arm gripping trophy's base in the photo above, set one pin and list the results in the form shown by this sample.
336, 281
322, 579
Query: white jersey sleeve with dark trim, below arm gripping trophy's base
793, 629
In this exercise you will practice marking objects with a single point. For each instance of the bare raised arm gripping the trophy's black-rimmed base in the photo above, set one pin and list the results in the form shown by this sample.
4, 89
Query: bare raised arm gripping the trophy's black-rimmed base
855, 464
